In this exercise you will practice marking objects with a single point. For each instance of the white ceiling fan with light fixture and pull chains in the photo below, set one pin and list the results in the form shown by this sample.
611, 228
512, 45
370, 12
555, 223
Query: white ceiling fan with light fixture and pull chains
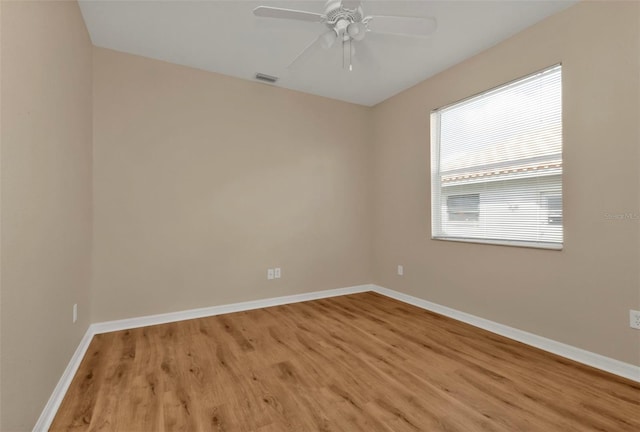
348, 24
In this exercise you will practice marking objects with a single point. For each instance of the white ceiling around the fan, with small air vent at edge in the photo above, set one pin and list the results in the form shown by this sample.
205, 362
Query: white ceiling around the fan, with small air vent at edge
225, 37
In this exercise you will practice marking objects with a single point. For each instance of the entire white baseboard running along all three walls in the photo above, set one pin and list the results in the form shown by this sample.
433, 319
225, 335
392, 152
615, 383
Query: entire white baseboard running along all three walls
598, 361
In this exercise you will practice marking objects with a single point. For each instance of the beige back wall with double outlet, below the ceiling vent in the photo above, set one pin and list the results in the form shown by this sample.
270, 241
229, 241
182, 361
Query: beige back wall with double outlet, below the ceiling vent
202, 182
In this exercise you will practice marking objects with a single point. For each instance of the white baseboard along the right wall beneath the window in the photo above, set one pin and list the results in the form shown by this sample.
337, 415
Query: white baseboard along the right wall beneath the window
579, 355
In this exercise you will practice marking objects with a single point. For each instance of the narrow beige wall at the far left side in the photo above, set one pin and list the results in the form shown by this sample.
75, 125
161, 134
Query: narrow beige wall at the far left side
46, 200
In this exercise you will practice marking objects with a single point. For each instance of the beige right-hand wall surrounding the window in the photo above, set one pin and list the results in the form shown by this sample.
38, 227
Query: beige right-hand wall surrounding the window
581, 295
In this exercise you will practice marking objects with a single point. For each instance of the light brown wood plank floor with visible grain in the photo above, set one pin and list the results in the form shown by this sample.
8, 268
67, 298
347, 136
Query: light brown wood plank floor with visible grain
362, 362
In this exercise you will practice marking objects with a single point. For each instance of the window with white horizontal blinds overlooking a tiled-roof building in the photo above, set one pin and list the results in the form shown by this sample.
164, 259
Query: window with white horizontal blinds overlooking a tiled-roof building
496, 165
